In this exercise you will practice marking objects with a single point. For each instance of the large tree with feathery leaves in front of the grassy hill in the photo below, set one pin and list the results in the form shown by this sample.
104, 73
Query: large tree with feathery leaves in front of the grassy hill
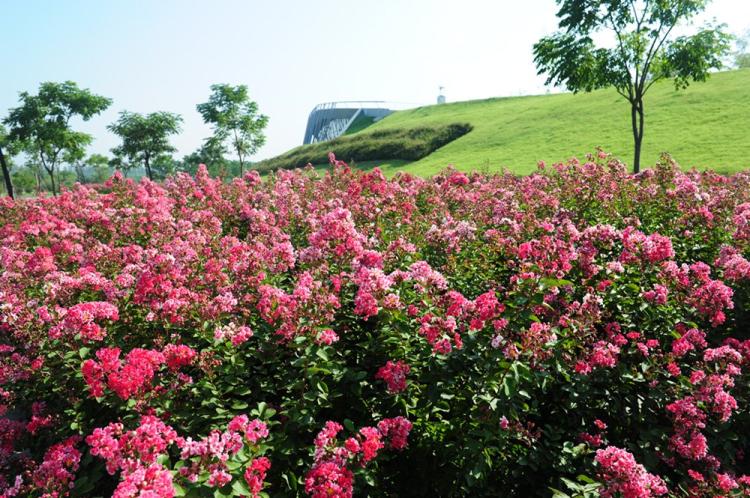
644, 50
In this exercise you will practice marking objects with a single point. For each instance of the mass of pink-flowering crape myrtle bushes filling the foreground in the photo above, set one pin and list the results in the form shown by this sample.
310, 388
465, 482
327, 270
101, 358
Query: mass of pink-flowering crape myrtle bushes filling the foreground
579, 331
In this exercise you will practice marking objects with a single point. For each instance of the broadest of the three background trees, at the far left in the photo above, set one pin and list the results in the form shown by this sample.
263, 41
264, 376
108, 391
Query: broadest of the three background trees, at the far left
42, 122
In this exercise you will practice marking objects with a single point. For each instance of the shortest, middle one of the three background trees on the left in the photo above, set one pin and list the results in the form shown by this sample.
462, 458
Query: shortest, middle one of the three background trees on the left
144, 138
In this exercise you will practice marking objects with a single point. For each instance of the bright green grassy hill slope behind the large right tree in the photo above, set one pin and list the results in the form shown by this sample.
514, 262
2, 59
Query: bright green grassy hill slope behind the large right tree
706, 126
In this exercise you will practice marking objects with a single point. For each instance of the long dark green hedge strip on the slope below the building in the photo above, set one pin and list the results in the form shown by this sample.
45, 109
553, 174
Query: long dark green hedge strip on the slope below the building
406, 144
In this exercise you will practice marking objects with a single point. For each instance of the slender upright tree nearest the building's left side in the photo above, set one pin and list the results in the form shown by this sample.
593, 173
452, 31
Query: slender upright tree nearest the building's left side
235, 119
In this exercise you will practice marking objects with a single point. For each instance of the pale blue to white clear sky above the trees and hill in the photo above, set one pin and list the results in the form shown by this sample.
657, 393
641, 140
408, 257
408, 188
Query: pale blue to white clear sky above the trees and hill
162, 55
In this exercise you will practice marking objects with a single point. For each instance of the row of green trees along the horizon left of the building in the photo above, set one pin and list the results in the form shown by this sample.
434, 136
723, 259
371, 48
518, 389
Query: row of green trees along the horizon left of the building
41, 151
